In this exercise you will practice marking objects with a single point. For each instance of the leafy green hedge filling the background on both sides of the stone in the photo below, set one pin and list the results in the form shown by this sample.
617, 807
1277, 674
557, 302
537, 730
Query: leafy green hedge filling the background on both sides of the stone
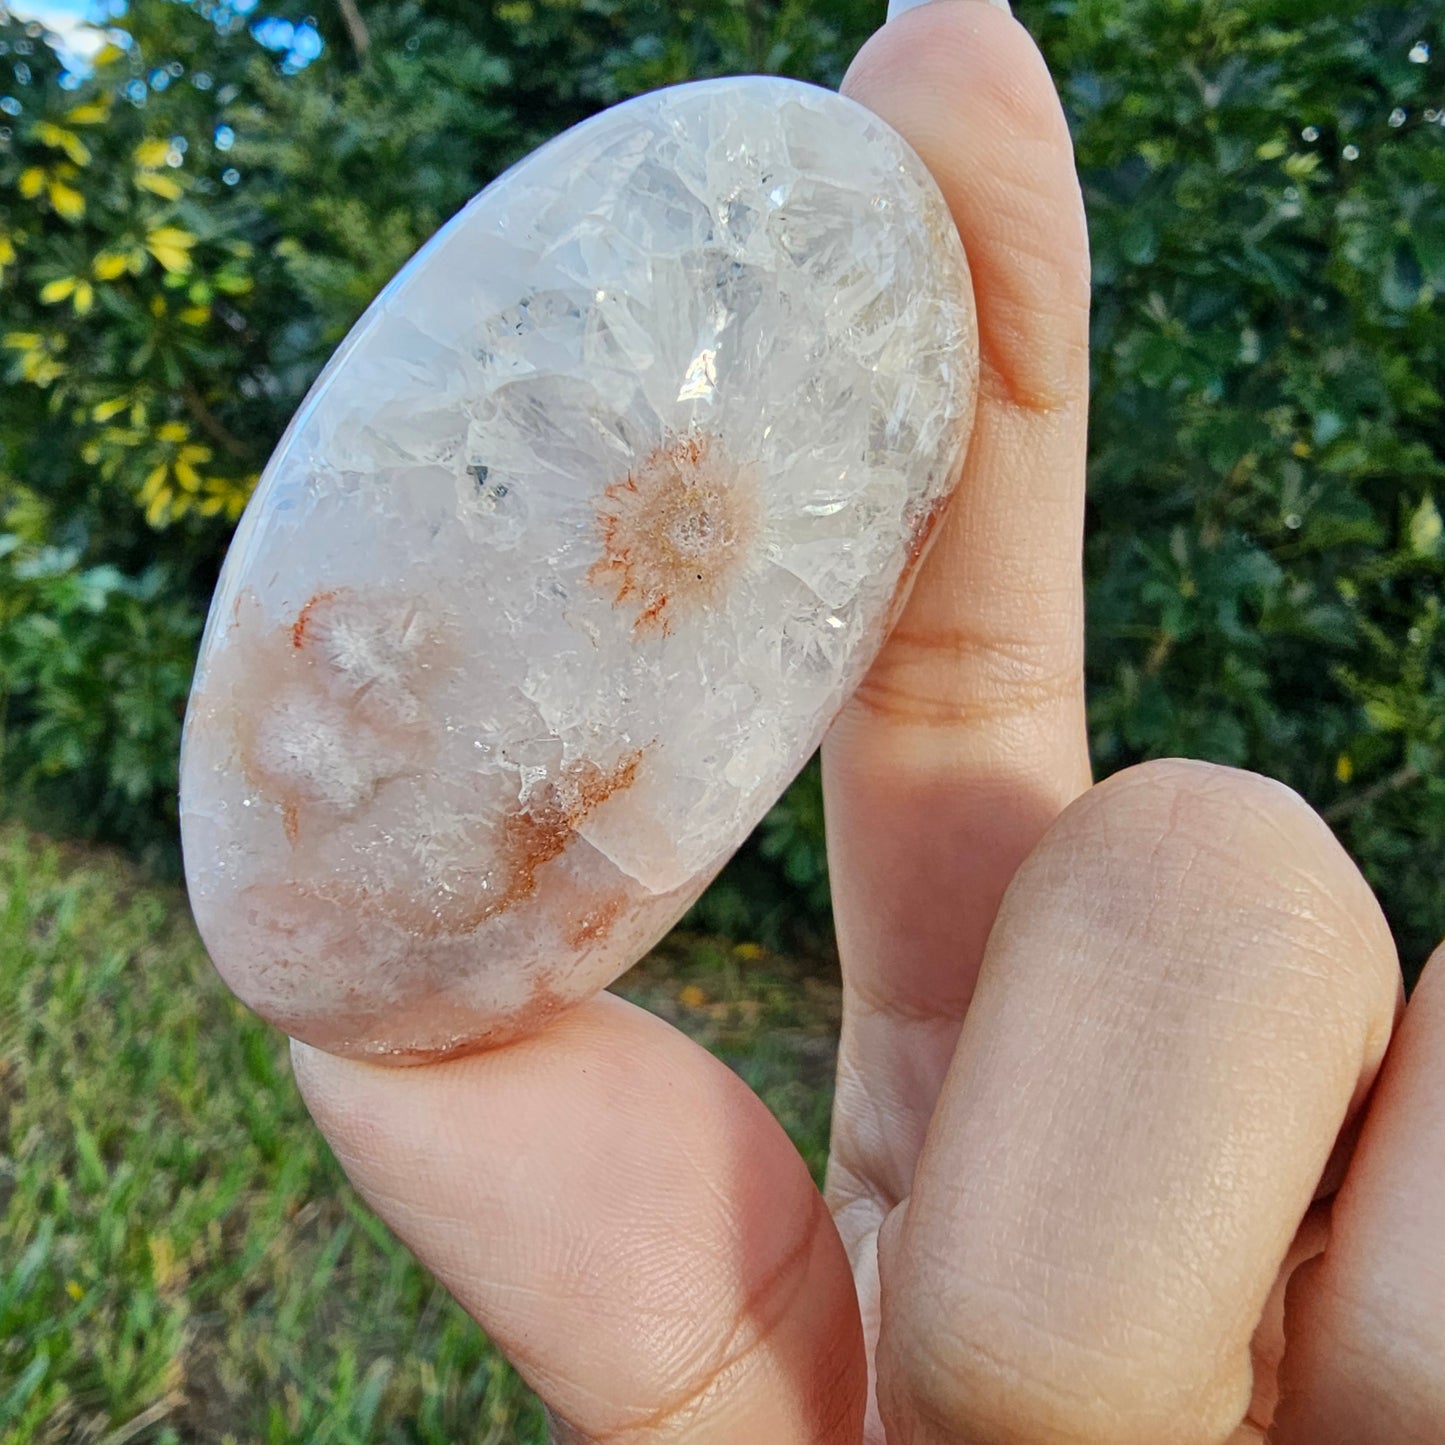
189, 233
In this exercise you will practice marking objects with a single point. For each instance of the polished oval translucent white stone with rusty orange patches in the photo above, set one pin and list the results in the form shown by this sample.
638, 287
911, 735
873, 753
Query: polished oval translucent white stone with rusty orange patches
567, 563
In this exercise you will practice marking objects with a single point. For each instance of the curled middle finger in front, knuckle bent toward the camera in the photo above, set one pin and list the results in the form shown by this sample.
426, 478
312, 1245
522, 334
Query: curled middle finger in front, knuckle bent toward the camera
1187, 992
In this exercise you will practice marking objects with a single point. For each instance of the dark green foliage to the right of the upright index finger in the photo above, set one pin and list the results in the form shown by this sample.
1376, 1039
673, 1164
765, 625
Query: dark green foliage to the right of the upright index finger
1269, 358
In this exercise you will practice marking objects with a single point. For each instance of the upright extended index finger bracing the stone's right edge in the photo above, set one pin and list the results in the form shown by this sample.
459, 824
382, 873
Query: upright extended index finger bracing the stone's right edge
967, 738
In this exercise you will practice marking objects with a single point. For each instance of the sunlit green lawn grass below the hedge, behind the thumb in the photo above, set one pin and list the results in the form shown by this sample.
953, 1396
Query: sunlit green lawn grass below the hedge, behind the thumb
181, 1259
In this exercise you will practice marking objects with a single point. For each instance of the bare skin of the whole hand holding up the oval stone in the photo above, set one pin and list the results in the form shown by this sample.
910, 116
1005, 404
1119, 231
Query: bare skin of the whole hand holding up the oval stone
1123, 1149
